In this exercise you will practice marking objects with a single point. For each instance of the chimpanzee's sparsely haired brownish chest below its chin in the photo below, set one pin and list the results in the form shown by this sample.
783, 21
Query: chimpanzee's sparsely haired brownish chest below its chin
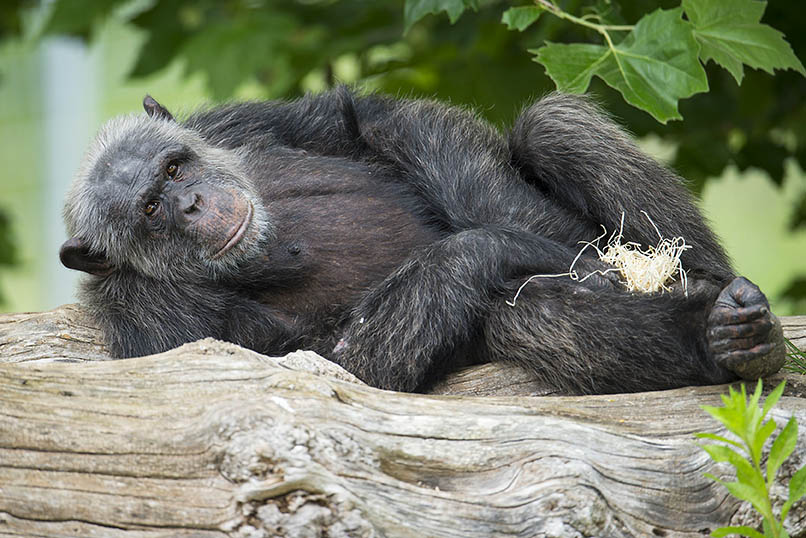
339, 234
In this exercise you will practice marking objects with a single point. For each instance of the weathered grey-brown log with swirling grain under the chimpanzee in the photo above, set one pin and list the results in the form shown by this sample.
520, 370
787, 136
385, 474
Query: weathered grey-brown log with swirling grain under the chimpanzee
214, 440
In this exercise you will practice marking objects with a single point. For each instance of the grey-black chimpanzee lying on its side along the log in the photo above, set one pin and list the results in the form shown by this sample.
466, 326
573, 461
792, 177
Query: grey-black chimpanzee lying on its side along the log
389, 234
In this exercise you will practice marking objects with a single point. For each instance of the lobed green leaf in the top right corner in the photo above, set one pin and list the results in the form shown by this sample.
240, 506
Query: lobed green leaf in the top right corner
731, 34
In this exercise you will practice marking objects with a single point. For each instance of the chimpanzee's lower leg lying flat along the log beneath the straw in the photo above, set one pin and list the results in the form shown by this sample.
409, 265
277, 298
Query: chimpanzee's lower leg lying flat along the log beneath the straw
593, 342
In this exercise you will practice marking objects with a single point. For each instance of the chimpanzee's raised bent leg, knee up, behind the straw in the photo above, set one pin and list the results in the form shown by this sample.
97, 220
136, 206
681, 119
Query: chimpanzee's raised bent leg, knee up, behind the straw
569, 148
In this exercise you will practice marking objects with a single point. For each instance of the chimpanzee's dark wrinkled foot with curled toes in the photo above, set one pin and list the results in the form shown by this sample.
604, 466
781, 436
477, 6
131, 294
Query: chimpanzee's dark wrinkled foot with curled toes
743, 335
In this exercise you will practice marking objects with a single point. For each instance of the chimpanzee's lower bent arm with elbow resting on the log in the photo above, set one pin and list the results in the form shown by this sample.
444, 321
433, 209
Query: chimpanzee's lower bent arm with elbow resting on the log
428, 313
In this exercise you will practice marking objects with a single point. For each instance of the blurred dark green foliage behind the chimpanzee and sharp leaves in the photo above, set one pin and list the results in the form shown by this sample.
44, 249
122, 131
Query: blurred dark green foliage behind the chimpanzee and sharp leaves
282, 48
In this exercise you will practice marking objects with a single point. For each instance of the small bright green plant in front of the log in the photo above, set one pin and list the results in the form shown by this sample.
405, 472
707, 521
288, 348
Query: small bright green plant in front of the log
745, 420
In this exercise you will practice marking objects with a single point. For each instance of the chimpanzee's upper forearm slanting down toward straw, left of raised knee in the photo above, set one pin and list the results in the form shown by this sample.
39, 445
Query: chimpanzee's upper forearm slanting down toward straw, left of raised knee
460, 168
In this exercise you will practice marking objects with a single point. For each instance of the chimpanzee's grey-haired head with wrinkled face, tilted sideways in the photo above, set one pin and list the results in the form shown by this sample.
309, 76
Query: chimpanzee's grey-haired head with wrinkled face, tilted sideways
156, 198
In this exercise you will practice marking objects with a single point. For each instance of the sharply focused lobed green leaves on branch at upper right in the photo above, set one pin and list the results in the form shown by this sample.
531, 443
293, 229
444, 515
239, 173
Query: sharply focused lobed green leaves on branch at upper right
659, 60
